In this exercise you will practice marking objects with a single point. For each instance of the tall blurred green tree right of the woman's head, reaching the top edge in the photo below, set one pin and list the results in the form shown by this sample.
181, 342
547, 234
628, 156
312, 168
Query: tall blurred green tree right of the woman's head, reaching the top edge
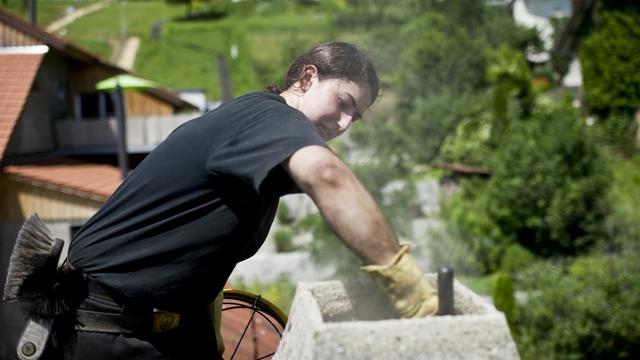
437, 71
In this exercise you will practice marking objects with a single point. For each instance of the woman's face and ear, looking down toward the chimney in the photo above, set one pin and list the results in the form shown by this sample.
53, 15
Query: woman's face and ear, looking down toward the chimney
333, 105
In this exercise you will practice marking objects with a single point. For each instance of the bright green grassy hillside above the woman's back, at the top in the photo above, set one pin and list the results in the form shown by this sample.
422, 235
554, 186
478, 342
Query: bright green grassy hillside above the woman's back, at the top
266, 35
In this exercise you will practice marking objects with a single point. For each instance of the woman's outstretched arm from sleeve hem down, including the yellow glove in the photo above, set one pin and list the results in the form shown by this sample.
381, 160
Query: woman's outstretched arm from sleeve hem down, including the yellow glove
356, 218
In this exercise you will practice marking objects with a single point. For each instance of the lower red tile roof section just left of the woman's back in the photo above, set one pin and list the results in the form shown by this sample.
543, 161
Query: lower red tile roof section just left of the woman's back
96, 181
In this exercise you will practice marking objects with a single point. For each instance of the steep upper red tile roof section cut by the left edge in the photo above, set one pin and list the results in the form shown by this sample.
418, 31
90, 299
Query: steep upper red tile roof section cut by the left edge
17, 72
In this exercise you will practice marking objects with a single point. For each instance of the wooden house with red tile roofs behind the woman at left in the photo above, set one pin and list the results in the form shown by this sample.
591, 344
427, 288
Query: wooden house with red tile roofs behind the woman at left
58, 154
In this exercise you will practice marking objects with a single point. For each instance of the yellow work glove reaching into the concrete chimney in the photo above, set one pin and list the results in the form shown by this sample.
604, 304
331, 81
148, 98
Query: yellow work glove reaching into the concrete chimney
405, 286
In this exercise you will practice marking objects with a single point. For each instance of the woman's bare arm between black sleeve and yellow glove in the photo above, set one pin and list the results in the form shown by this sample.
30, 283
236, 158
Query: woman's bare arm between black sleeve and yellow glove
344, 203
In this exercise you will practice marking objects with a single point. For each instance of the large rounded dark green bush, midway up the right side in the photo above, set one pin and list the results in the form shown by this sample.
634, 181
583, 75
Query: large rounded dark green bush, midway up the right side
549, 184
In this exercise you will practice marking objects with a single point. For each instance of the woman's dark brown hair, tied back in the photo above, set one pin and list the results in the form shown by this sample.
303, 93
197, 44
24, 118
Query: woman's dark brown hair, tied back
335, 60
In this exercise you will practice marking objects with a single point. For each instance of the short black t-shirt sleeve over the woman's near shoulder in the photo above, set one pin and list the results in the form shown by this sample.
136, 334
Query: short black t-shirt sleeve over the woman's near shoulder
264, 142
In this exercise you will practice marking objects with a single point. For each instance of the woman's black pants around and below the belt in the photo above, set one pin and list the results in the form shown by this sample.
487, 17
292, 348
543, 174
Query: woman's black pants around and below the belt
194, 338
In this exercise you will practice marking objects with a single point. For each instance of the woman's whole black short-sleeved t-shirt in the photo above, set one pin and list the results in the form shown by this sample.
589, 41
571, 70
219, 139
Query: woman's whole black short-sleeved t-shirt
202, 201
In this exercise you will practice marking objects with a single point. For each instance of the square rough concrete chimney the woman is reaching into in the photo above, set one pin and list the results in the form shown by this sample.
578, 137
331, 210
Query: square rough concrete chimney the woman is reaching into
333, 320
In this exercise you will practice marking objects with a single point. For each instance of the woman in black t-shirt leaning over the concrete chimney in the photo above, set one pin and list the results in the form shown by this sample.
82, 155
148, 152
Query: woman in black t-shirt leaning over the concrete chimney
204, 199
